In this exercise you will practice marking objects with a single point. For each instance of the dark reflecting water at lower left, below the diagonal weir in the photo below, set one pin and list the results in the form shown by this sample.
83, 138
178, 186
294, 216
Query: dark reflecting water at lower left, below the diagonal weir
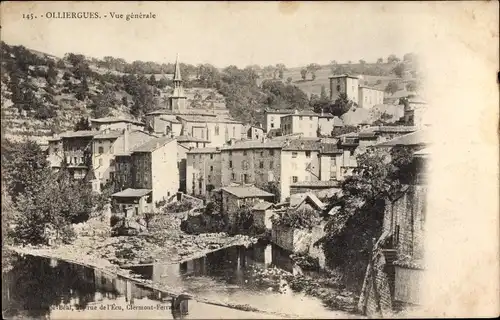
46, 288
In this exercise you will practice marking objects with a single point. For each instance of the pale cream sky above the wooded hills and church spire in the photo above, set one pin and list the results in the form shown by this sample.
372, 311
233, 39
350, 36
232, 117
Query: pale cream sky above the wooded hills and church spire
225, 33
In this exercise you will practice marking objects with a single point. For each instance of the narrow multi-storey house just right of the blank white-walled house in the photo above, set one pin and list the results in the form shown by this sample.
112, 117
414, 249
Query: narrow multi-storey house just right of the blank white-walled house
203, 170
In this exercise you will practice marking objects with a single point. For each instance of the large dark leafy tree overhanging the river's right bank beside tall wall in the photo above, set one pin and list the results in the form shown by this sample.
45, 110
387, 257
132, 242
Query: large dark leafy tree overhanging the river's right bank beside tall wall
380, 176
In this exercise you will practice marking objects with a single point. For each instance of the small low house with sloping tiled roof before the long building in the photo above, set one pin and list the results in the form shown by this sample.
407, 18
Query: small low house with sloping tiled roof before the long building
235, 198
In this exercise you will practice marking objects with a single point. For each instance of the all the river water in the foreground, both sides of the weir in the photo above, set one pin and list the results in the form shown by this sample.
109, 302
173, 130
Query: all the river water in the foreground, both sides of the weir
47, 288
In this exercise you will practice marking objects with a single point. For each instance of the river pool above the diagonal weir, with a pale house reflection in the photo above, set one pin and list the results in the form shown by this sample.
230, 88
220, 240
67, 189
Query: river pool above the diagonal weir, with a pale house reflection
226, 275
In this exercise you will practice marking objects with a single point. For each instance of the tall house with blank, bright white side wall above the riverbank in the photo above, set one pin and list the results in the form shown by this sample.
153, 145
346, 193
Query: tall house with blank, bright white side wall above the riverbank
150, 166
